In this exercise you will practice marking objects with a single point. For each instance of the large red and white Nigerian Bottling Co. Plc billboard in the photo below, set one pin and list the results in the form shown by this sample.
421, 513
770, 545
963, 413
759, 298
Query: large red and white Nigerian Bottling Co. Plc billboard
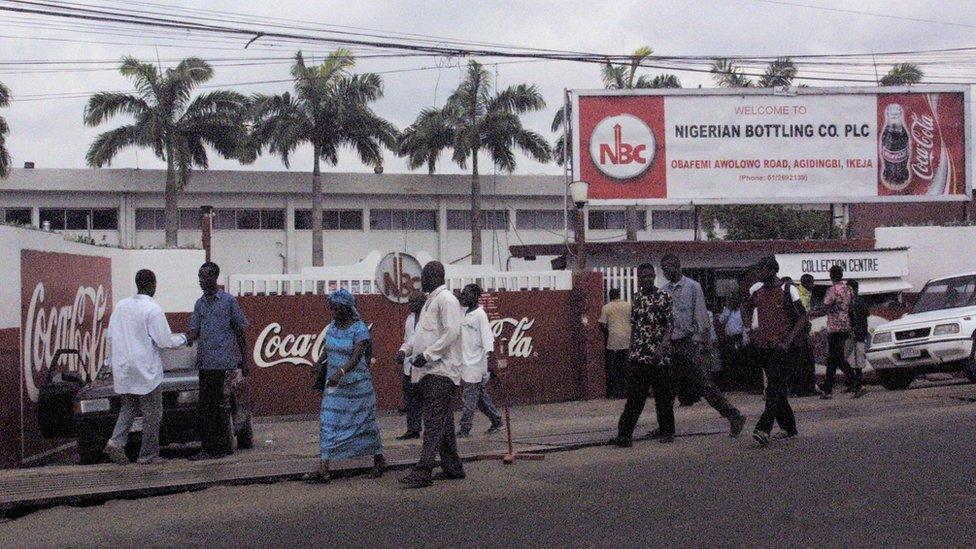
804, 145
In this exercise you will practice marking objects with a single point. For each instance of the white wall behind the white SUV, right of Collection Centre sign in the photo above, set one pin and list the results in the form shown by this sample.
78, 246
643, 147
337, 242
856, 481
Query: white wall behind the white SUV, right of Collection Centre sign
932, 251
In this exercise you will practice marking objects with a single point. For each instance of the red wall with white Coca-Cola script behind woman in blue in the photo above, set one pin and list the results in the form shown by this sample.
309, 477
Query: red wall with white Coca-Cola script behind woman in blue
286, 333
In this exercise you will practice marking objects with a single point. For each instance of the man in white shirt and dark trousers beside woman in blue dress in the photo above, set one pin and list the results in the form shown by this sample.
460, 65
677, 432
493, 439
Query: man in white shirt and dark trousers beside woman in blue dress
436, 351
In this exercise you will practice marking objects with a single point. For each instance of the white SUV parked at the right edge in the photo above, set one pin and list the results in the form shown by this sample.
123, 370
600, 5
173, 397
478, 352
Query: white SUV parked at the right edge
937, 336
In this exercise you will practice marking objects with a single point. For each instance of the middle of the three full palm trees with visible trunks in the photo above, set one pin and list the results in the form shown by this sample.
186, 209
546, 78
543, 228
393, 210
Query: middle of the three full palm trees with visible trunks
330, 110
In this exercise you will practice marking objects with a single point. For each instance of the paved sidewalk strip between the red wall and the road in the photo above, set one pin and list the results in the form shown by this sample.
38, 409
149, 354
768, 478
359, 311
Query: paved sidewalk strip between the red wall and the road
286, 449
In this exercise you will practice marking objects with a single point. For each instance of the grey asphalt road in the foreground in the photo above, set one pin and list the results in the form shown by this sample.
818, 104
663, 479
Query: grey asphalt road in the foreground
882, 471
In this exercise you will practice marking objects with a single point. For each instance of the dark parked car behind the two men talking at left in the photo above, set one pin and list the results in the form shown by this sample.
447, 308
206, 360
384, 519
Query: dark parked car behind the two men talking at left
70, 406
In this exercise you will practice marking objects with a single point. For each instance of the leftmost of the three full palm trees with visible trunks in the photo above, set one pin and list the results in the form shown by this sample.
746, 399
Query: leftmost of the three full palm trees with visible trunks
166, 119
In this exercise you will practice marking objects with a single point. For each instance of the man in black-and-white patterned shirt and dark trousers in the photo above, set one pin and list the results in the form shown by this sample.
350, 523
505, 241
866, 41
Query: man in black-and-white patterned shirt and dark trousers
651, 324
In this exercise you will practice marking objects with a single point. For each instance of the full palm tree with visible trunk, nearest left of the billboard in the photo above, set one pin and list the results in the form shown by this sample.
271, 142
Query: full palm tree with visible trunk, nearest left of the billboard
475, 119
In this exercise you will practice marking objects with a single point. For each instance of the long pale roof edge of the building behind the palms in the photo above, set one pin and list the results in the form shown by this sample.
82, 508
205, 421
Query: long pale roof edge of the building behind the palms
275, 182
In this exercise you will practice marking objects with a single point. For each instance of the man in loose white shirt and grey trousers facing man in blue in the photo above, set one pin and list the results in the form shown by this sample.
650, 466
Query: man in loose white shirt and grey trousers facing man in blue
137, 331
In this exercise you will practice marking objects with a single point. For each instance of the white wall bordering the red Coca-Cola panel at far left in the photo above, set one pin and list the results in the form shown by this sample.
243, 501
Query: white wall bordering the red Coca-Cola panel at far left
176, 270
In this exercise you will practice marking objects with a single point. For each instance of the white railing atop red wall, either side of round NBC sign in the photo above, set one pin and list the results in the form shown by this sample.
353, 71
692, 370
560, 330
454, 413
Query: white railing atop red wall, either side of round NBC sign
247, 284
